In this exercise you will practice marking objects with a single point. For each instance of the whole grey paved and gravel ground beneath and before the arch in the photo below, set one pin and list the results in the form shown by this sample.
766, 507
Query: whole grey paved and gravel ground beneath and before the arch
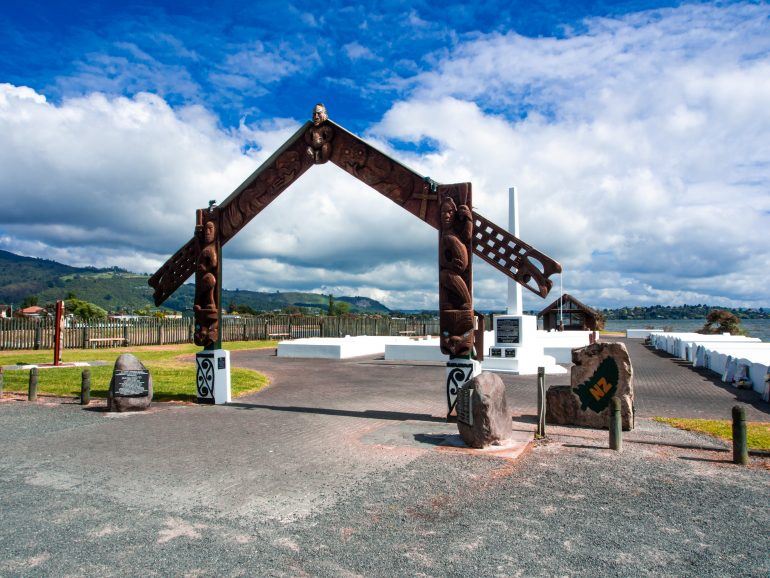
336, 469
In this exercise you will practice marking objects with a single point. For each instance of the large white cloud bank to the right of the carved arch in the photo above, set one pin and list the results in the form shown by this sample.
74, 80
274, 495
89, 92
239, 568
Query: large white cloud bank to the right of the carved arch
644, 150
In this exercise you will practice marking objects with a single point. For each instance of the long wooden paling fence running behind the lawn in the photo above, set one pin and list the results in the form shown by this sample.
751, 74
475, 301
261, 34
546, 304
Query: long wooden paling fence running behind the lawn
38, 334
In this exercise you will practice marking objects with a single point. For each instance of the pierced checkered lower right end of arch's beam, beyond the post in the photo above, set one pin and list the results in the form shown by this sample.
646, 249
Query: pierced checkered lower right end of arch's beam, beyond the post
518, 260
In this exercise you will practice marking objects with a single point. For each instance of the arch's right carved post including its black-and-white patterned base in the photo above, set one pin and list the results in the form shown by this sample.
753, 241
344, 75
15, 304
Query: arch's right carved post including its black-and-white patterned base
456, 319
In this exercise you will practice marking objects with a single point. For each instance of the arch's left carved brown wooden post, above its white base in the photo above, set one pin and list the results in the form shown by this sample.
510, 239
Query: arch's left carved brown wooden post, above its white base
206, 307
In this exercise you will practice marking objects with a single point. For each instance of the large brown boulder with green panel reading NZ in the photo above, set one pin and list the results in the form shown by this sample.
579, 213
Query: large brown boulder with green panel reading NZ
600, 372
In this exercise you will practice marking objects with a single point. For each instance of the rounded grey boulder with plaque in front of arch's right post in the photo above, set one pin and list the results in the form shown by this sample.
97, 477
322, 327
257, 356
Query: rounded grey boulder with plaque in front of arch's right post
490, 418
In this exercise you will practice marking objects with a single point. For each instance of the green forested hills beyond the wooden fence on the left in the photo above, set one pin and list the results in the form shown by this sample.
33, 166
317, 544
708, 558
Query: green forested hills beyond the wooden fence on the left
117, 289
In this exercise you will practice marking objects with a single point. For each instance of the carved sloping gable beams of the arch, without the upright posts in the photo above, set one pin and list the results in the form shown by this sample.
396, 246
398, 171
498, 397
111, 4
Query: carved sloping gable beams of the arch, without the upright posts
322, 140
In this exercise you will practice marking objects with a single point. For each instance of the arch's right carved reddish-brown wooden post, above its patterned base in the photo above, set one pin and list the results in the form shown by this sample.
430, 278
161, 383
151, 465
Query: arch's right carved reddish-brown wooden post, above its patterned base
455, 274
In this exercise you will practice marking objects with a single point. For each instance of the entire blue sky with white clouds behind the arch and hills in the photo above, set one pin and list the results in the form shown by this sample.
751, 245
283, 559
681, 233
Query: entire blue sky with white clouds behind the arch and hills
637, 134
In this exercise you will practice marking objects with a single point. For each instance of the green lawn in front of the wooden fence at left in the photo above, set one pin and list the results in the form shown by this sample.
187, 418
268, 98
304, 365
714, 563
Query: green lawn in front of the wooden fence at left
173, 378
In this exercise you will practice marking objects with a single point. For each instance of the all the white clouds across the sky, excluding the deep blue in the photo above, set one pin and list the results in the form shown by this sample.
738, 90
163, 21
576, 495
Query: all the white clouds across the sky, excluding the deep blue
640, 147
